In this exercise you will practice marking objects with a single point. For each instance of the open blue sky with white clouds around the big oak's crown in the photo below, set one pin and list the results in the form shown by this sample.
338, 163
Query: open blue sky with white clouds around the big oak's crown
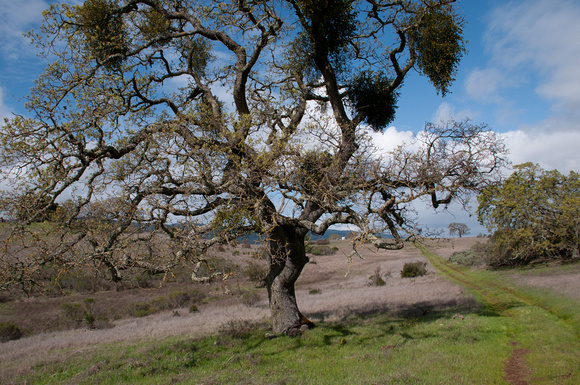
520, 76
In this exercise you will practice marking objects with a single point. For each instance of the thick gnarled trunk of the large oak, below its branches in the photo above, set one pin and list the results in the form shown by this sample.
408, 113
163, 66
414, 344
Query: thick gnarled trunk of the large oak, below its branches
286, 259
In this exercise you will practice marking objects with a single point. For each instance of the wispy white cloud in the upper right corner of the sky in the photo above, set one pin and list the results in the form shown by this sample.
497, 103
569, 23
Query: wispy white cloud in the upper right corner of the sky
542, 36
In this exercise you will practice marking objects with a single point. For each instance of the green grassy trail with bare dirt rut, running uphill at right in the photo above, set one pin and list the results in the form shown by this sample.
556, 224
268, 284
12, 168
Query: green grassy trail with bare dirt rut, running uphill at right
544, 327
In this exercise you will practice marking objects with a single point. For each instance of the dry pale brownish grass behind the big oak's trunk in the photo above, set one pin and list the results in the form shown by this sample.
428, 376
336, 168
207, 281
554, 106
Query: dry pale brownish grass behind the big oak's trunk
342, 291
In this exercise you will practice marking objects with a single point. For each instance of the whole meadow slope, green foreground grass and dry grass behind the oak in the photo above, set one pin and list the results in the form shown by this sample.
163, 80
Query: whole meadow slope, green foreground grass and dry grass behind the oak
473, 328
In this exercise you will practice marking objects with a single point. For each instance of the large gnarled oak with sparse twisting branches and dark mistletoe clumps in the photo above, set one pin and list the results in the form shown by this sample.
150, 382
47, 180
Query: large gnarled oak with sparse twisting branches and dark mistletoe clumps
235, 117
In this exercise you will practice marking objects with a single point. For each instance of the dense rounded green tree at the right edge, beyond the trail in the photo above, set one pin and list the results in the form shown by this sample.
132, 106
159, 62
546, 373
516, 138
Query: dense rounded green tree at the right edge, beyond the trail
534, 215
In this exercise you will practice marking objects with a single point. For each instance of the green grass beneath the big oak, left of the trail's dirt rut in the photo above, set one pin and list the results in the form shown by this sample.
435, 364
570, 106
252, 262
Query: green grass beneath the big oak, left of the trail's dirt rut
378, 350
